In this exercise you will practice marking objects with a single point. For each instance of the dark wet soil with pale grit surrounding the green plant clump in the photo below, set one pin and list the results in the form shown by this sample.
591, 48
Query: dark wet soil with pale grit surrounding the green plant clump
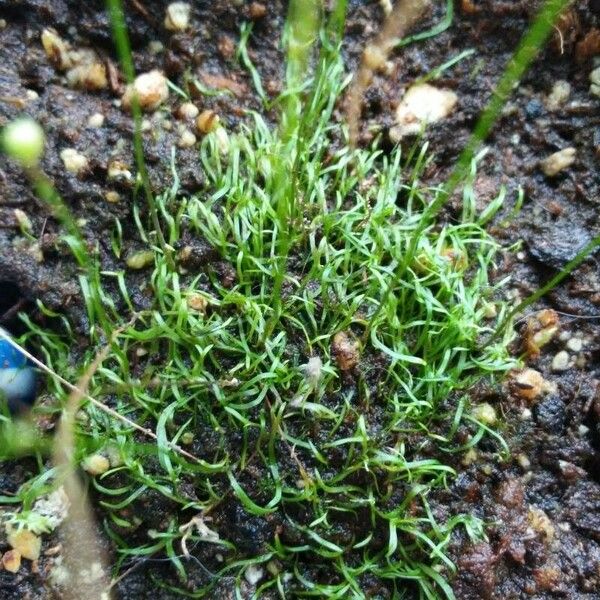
543, 503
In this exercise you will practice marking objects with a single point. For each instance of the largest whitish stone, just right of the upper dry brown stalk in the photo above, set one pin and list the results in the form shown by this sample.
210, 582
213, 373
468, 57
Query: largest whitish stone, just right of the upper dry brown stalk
422, 104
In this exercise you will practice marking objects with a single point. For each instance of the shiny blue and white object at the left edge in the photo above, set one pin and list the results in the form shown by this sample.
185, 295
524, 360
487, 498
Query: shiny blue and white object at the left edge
18, 377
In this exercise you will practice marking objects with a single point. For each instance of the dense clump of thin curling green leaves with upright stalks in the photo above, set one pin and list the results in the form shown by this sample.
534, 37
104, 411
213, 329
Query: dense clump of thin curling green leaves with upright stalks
316, 369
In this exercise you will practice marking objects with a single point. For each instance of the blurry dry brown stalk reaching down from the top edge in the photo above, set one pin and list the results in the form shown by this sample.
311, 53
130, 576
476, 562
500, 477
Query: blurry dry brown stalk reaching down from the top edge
403, 16
